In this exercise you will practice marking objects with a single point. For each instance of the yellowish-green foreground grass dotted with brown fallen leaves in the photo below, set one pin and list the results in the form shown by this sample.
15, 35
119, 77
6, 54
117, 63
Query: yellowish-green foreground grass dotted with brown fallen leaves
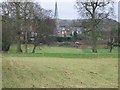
35, 72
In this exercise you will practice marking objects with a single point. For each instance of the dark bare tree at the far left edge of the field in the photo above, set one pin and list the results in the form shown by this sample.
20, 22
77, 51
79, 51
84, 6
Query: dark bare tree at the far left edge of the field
7, 25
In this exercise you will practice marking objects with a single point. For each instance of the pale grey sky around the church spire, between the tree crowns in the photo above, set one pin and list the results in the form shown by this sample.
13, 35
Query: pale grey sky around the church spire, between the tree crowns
66, 10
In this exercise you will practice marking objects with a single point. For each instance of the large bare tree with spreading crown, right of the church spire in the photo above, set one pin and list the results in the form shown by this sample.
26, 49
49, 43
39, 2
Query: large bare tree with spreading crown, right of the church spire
95, 11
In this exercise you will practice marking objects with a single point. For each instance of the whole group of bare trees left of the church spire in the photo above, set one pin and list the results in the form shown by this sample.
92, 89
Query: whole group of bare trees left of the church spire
16, 14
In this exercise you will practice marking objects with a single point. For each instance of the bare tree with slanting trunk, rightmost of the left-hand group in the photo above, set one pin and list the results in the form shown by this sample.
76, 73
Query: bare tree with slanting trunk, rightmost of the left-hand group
43, 25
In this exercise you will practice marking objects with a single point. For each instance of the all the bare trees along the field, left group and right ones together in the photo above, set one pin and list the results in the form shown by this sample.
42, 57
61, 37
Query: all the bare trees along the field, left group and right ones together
16, 14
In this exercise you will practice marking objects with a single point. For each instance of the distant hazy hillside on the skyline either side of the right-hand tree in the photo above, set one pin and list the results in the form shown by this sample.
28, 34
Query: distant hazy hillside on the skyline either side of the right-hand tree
104, 24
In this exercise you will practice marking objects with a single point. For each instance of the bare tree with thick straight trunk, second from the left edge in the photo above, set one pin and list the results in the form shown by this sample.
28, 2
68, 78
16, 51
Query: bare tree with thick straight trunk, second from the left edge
12, 10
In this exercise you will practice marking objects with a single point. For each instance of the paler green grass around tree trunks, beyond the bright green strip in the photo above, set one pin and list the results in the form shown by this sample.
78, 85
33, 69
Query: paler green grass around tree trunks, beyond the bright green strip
56, 49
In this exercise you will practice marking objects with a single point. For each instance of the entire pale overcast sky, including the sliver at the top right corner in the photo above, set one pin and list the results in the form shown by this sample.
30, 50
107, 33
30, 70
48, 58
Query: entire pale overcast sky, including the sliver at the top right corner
66, 9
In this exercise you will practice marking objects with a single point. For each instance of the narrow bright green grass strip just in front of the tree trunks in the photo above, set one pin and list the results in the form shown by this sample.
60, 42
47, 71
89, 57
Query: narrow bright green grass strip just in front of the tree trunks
64, 55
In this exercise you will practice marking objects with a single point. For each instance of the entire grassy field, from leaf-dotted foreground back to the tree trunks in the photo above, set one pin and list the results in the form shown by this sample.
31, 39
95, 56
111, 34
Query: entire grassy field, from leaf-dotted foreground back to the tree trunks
57, 67
